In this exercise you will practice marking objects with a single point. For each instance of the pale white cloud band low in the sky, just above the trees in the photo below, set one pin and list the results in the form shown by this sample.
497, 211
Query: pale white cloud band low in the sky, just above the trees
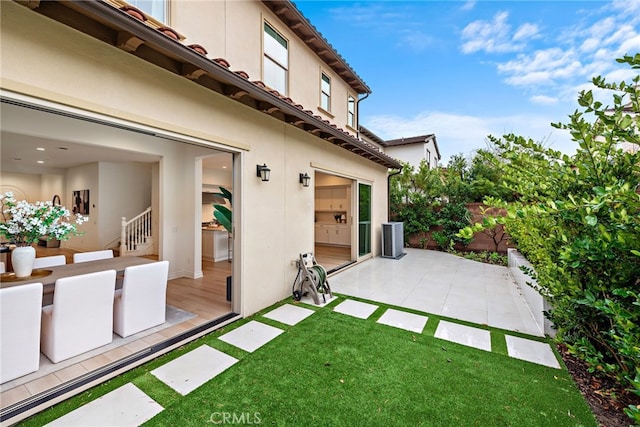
457, 133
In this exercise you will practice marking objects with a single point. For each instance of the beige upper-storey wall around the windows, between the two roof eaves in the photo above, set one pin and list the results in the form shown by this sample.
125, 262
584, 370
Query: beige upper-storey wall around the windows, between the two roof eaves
233, 30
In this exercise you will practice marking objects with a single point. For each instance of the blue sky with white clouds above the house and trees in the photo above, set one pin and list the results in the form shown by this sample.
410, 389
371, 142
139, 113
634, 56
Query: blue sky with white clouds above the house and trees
463, 70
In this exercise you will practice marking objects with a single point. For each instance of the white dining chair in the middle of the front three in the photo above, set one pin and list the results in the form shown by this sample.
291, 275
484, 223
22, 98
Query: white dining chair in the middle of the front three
81, 316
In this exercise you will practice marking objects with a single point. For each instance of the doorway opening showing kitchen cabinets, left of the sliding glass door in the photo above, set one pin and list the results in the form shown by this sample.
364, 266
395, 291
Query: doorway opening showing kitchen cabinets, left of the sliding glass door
334, 221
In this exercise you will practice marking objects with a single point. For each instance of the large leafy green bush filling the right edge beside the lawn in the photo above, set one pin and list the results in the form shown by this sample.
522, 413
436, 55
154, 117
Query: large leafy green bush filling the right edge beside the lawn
577, 220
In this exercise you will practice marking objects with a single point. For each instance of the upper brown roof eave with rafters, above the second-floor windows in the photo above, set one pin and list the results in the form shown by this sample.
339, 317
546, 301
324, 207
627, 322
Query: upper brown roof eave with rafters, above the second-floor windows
295, 20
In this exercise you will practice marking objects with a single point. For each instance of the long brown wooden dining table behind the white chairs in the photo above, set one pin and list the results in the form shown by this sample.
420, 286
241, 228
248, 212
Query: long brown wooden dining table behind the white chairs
49, 275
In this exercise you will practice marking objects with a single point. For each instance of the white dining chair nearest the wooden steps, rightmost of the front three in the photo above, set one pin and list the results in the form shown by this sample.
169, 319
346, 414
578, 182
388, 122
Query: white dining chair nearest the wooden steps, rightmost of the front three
141, 303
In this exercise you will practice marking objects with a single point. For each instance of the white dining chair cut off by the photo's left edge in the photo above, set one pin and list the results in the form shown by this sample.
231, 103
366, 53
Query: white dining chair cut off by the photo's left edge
20, 311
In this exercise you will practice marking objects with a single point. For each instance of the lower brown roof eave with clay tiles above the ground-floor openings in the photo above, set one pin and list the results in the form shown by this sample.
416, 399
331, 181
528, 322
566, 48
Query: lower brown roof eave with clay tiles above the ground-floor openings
111, 25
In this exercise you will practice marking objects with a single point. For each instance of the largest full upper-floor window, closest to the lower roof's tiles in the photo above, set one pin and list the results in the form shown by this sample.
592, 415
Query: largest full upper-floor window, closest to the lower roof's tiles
276, 60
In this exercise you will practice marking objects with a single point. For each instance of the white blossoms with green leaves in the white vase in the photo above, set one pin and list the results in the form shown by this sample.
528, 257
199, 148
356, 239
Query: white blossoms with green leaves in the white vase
23, 223
